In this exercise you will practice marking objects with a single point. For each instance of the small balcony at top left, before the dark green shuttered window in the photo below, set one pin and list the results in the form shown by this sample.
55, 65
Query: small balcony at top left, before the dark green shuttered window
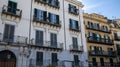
6, 10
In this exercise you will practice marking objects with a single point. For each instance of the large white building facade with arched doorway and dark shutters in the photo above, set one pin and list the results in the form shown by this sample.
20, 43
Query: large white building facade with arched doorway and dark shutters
36, 33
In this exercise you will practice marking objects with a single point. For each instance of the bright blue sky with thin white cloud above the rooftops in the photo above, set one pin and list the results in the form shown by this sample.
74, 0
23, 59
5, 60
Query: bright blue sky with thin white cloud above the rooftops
107, 8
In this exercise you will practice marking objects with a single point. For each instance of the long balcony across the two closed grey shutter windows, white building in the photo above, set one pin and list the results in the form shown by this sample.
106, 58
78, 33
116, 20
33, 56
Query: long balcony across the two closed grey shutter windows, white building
48, 45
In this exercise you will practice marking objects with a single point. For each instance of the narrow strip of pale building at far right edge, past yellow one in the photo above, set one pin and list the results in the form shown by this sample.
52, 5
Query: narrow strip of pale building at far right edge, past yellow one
115, 27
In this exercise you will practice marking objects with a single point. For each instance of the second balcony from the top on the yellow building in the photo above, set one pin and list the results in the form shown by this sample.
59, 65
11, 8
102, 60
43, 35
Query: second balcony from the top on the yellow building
100, 40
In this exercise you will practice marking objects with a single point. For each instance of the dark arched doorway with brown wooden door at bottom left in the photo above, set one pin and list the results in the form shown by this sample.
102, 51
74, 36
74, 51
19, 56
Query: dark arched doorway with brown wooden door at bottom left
7, 59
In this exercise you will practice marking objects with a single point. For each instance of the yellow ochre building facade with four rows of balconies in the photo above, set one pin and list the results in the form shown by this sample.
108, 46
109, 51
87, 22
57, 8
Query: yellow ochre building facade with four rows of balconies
99, 39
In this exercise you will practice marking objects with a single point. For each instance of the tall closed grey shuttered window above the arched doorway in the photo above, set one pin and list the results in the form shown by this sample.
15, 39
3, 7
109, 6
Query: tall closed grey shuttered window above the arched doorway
9, 33
